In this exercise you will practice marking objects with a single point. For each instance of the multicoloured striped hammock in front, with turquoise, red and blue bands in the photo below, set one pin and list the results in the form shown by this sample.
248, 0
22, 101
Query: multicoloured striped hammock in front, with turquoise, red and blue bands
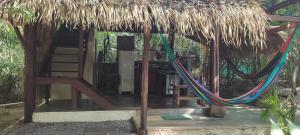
251, 95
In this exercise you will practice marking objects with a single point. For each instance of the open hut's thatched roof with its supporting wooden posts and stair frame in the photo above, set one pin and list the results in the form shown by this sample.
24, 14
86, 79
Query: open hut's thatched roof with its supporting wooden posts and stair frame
227, 23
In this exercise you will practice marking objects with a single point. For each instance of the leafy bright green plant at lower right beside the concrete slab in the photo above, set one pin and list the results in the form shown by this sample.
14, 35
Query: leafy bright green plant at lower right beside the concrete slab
276, 107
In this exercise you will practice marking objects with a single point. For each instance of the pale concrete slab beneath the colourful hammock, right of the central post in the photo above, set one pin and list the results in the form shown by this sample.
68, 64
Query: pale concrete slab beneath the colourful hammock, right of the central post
239, 120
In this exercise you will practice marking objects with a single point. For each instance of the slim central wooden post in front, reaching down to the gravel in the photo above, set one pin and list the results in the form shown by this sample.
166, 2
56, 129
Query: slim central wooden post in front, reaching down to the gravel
145, 71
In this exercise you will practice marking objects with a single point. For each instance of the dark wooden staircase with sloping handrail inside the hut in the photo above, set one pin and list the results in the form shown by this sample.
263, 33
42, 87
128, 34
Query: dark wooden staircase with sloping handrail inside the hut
64, 69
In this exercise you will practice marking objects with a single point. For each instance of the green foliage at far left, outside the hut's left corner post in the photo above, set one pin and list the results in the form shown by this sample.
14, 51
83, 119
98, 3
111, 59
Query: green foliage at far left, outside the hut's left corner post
11, 65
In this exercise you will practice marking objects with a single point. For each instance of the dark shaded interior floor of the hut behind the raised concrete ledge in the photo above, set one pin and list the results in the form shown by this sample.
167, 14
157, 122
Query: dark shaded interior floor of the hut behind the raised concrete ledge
122, 102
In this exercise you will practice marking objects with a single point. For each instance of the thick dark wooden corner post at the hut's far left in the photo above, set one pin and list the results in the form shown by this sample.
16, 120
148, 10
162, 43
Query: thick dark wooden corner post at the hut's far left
29, 72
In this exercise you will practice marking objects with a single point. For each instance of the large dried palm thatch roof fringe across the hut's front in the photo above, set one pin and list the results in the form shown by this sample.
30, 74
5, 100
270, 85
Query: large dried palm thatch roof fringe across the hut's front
237, 19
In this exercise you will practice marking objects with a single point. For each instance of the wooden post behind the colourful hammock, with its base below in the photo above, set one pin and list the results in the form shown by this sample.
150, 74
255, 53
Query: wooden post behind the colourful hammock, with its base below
215, 111
